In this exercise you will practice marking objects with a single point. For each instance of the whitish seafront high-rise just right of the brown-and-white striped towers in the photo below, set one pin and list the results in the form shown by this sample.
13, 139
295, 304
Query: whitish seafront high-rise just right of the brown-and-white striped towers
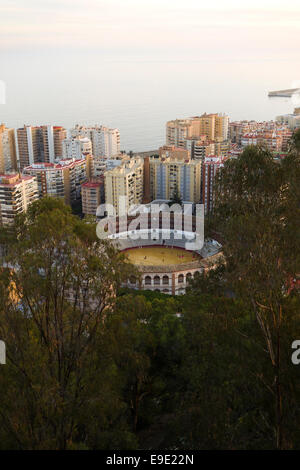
105, 141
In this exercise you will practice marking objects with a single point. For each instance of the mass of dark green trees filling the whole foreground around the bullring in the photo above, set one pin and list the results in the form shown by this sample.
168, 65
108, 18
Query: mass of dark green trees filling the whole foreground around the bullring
92, 365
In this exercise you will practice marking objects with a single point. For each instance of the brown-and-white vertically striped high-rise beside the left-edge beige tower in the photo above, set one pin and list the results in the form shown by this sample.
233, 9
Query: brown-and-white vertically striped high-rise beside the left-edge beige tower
39, 144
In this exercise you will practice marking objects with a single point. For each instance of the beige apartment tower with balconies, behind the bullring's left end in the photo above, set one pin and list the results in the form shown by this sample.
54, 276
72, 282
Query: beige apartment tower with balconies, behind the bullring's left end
125, 181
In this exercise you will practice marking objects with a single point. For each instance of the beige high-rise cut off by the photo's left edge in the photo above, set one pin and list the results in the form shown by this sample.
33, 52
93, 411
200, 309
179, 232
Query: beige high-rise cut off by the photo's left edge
8, 158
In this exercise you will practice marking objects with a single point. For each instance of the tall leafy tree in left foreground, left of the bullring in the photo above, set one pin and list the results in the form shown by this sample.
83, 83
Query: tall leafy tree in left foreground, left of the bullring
64, 281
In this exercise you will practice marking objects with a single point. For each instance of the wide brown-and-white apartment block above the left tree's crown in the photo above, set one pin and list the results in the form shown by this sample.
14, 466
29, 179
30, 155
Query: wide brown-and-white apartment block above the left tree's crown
62, 179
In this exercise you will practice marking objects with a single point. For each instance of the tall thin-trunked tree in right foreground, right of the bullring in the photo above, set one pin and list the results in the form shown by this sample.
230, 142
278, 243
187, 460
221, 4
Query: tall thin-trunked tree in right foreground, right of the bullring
257, 211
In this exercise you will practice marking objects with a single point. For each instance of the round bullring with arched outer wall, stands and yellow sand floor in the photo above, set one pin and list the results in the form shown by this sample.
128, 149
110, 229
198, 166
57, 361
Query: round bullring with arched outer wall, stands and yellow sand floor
166, 260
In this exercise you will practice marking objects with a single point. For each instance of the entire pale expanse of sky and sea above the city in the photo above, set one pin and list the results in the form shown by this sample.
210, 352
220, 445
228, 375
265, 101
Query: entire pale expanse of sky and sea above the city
135, 65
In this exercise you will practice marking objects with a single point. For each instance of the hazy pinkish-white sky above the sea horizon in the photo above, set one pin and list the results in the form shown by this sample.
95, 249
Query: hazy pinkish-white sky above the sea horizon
155, 29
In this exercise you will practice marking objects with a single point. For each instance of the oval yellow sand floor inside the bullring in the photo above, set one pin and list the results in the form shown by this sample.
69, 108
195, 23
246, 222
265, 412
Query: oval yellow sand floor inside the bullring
160, 256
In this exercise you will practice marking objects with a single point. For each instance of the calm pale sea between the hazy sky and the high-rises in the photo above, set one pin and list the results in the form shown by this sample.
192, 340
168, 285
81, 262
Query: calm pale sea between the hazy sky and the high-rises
137, 96
